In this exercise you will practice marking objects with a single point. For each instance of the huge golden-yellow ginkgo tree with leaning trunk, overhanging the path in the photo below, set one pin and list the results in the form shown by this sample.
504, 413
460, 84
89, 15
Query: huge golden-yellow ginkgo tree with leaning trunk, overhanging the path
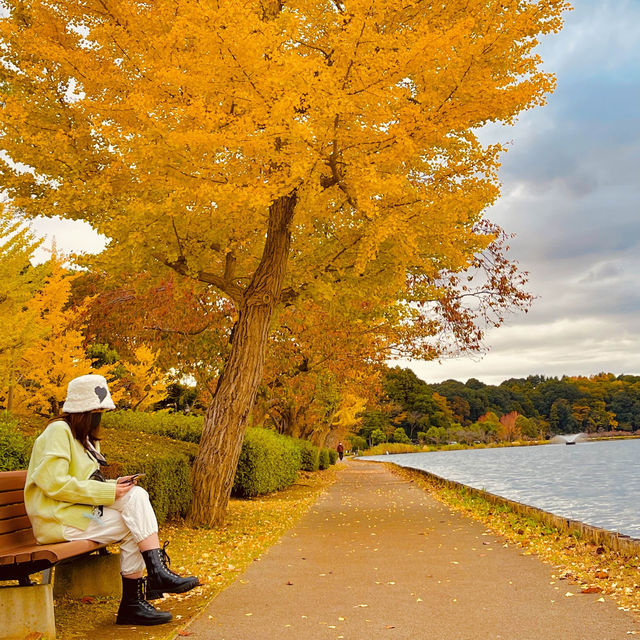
269, 149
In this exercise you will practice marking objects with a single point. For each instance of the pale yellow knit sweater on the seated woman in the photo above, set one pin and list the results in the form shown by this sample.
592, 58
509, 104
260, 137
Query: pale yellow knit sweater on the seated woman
58, 491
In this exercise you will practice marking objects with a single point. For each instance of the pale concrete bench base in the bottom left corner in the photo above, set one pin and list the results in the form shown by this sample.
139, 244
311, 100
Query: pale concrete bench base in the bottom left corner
27, 609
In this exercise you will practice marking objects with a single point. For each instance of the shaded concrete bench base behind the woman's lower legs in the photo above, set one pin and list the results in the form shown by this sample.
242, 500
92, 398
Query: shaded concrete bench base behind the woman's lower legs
94, 575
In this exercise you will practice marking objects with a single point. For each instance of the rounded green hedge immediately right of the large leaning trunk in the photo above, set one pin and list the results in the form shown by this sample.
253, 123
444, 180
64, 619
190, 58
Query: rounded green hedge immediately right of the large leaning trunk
268, 462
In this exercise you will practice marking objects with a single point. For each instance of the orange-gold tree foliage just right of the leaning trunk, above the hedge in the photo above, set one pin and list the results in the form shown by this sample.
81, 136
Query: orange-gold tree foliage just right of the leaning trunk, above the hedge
316, 358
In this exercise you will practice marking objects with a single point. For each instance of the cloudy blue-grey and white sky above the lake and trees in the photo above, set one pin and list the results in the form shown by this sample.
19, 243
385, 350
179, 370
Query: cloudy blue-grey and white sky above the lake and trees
571, 194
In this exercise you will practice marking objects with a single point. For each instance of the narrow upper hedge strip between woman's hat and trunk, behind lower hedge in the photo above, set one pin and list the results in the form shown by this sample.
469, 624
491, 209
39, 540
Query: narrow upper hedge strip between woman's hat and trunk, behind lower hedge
160, 423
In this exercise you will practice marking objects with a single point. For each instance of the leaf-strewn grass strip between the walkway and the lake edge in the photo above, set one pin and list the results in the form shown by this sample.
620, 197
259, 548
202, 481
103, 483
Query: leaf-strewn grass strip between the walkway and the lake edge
597, 569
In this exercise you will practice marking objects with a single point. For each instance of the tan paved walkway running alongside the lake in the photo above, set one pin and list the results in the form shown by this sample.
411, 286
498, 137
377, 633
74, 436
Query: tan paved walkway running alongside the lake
377, 557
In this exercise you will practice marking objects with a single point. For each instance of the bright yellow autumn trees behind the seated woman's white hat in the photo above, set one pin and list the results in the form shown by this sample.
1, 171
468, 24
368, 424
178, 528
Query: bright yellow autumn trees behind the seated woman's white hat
43, 342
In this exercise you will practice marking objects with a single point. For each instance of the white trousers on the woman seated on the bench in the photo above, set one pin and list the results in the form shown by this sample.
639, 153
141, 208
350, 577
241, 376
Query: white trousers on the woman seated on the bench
129, 520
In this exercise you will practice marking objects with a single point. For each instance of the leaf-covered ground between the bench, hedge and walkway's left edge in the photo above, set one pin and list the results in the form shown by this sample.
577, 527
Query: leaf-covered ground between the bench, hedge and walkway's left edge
217, 556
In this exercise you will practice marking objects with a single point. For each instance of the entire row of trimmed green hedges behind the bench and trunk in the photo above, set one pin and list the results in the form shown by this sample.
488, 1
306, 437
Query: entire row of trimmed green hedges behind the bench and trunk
163, 446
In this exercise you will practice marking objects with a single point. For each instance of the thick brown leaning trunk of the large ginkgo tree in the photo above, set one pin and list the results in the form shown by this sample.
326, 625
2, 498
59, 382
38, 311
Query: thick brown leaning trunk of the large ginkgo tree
226, 418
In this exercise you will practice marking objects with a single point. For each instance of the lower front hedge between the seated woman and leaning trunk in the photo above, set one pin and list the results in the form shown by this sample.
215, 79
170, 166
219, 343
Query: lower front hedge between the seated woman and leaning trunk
166, 462
